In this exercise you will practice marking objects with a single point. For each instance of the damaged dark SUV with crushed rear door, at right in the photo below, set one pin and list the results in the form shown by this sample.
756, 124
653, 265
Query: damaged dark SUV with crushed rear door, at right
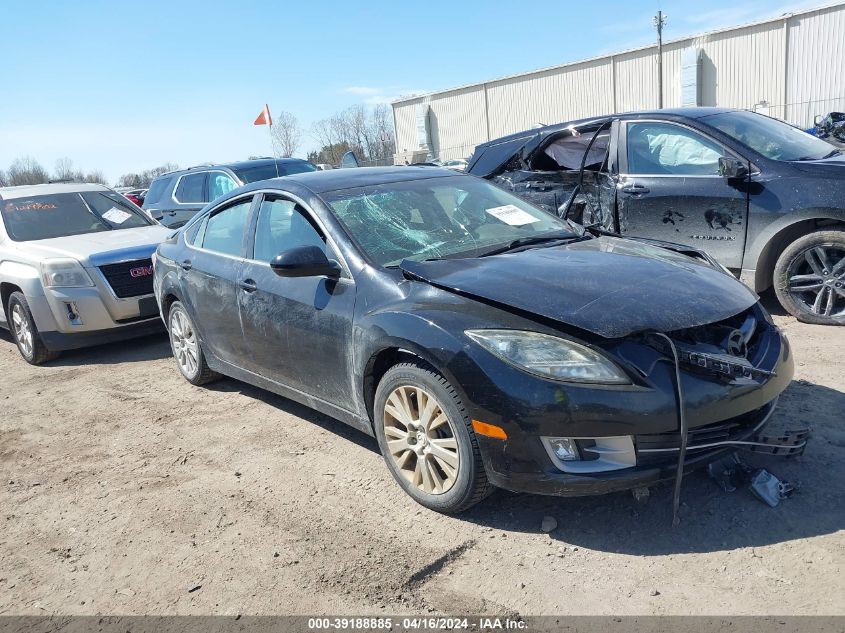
764, 198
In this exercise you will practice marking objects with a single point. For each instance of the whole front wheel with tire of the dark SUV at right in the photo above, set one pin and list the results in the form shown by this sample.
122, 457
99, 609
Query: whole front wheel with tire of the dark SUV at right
809, 278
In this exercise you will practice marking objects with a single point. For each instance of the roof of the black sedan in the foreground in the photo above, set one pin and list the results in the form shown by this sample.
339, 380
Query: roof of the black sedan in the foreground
335, 179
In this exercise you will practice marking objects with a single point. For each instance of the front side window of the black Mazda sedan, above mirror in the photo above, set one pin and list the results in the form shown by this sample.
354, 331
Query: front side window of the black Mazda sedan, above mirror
282, 225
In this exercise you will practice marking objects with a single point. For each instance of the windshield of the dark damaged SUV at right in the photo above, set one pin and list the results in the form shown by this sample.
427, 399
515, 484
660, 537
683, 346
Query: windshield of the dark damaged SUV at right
772, 138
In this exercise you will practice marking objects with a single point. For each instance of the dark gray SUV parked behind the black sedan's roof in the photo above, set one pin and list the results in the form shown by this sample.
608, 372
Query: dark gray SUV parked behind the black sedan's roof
176, 196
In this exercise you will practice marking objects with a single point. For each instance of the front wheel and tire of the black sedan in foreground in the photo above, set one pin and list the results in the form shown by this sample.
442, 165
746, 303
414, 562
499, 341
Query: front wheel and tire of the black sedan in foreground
427, 440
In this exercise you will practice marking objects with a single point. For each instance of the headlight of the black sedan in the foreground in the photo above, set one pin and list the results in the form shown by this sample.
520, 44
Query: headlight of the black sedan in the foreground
550, 356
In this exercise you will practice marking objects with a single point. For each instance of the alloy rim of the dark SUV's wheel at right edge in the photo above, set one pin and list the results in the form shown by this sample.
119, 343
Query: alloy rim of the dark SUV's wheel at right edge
817, 280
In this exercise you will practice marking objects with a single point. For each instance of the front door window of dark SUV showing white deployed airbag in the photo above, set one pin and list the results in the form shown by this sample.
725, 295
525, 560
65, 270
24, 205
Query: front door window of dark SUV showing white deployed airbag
663, 148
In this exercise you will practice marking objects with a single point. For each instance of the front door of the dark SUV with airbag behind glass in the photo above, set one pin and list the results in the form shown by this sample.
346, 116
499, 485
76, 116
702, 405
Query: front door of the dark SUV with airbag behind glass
670, 189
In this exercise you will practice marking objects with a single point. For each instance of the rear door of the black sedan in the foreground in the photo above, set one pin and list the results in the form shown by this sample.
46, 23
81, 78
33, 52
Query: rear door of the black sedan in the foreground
210, 275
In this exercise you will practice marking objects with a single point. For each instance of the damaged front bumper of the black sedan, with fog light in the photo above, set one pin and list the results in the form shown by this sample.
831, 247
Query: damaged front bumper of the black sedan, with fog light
619, 438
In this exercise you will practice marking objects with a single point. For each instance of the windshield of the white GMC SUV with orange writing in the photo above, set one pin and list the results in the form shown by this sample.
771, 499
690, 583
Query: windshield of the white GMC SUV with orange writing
63, 214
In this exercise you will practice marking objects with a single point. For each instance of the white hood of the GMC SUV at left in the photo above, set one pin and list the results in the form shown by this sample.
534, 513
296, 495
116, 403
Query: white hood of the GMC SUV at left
91, 248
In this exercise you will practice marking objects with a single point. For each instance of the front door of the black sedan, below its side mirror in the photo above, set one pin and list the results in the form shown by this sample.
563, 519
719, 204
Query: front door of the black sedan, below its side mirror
298, 329
